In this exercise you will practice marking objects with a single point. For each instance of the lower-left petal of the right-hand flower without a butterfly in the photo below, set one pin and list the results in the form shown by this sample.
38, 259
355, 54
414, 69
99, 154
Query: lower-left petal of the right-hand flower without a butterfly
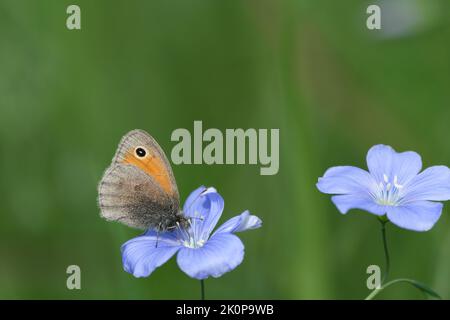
353, 201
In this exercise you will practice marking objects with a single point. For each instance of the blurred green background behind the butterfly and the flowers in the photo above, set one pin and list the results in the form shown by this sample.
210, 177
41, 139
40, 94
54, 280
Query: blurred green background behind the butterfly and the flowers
310, 68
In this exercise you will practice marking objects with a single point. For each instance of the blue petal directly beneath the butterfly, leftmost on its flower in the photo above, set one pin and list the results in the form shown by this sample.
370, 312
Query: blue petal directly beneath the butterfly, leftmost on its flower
141, 256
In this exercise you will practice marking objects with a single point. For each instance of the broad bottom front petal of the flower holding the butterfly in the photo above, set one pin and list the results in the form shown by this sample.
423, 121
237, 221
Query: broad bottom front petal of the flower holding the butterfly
221, 253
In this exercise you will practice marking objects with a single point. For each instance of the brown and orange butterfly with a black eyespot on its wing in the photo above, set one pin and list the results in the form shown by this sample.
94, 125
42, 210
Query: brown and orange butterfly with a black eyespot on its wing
139, 189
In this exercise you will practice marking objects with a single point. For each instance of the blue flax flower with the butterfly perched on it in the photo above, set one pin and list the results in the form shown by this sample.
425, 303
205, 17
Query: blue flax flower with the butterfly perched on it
200, 254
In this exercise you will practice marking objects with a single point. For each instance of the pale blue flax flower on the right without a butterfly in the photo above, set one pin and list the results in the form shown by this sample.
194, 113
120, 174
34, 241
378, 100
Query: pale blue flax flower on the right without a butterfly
393, 186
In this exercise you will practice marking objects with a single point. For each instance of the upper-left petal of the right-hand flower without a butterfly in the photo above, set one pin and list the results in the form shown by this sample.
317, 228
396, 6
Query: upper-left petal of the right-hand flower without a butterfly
346, 180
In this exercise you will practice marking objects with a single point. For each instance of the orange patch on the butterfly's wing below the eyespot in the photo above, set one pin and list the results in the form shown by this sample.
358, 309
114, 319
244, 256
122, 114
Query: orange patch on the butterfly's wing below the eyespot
154, 167
